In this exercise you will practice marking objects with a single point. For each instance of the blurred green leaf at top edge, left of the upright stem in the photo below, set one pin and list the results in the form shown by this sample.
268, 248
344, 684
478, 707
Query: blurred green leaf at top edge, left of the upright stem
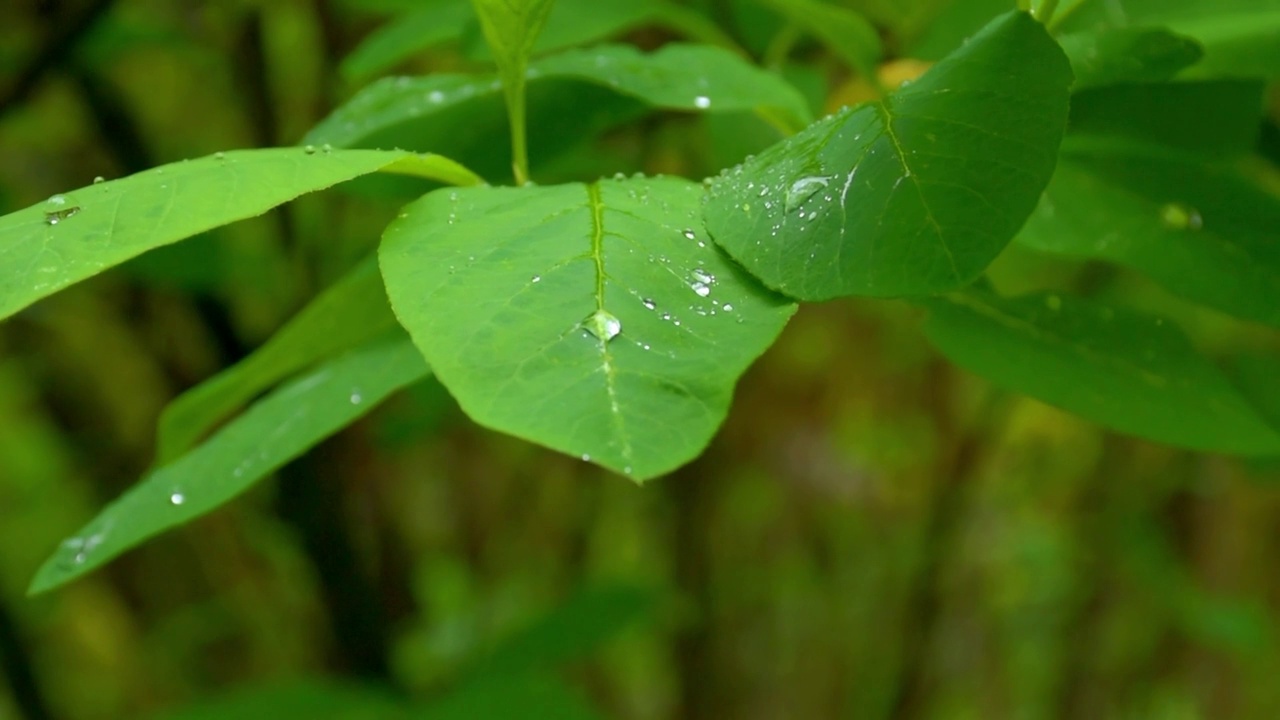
405, 37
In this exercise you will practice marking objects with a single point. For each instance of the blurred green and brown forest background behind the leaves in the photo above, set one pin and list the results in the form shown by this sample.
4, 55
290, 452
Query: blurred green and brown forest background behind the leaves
874, 534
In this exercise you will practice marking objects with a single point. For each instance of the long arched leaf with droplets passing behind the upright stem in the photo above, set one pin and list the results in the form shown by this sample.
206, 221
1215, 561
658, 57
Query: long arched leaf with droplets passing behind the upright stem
724, 83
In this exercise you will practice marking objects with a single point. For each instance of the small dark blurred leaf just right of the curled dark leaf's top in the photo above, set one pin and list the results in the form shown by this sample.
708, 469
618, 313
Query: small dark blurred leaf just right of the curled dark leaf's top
1117, 56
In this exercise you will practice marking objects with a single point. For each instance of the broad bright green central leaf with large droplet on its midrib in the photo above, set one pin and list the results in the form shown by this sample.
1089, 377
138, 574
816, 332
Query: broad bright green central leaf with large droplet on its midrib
595, 320
